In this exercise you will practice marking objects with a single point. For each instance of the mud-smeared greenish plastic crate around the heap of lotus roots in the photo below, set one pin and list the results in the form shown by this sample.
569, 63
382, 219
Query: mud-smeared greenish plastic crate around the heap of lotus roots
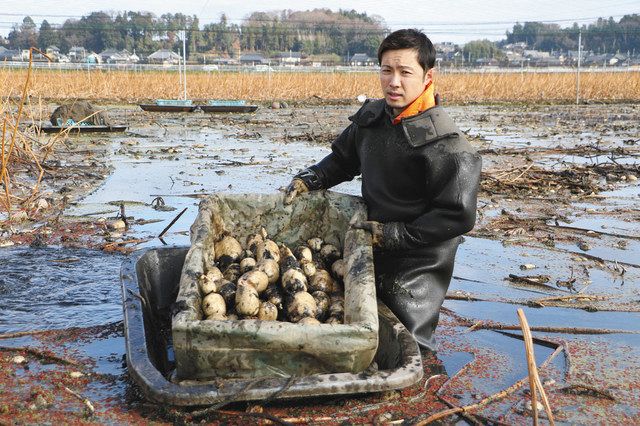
206, 349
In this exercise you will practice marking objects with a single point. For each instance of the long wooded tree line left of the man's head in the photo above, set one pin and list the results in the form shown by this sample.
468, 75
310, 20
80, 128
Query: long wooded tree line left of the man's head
314, 32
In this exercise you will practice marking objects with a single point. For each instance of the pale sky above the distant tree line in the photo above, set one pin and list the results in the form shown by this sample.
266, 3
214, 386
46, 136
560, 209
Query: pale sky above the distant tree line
458, 21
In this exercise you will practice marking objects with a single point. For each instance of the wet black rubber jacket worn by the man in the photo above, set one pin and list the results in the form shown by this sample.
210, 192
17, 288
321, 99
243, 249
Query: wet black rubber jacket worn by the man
419, 178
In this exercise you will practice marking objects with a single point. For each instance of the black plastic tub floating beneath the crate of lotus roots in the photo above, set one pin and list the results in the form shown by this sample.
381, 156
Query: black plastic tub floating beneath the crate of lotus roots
150, 282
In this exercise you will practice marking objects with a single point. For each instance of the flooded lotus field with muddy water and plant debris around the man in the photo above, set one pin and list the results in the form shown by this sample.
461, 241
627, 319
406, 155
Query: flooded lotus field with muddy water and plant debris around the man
558, 235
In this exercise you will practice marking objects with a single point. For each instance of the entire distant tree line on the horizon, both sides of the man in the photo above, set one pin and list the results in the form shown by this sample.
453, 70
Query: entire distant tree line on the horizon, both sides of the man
318, 31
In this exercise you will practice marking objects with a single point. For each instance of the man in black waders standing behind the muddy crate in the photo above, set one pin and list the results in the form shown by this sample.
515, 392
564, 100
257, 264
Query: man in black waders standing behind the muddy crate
419, 180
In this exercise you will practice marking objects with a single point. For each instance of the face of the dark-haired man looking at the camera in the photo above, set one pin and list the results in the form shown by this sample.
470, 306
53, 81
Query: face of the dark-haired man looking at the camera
402, 78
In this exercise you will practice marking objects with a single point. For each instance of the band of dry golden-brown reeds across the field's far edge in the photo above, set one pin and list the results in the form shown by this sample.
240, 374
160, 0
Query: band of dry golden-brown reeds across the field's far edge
132, 86
